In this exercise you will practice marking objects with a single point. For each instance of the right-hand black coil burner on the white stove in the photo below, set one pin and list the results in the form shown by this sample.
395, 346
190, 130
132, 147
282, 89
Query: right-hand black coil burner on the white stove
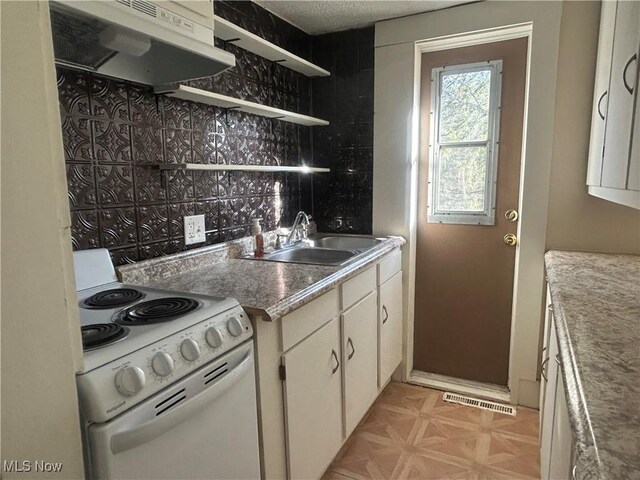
157, 311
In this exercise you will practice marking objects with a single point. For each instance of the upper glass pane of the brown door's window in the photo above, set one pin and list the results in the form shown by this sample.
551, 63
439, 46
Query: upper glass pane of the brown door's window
464, 106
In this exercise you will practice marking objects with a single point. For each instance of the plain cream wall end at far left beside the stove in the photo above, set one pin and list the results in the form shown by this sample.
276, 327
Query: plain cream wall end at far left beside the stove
41, 345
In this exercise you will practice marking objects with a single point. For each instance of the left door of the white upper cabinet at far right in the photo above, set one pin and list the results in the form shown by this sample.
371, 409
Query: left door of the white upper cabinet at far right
601, 90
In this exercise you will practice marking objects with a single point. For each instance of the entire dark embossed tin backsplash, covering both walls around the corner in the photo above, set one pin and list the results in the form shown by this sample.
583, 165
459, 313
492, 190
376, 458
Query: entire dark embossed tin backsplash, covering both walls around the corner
114, 132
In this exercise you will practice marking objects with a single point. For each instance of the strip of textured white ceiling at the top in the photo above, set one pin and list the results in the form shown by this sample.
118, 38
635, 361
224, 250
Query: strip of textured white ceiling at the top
323, 16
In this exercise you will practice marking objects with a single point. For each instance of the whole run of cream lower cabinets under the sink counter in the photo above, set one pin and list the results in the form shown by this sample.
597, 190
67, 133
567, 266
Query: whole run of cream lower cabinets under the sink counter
335, 353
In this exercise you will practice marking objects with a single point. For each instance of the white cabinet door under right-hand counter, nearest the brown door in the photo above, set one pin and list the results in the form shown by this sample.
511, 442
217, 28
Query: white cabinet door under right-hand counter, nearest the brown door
546, 434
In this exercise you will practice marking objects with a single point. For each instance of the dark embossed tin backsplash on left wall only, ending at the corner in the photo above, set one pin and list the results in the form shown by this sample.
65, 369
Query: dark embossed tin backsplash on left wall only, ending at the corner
114, 134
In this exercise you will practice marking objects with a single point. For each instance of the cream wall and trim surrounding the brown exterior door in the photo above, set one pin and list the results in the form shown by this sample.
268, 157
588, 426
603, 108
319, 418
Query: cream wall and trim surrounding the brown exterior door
395, 157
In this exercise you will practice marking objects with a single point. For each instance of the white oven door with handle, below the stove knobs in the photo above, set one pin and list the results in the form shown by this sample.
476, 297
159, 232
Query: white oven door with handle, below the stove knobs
202, 427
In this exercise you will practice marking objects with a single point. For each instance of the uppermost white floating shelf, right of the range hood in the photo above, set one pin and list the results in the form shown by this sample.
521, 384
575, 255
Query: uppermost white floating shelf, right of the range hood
230, 32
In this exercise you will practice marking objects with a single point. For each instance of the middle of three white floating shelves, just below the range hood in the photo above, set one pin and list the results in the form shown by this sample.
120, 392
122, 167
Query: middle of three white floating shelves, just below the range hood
203, 96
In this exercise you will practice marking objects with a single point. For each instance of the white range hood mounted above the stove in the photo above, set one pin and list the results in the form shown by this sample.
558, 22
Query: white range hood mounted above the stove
141, 41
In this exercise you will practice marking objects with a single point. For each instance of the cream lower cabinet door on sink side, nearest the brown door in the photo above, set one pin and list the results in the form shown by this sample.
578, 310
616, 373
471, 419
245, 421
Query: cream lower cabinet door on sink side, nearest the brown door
390, 327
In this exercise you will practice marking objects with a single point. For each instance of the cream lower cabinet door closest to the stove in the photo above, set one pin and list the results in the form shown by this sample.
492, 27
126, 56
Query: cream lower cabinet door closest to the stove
313, 402
